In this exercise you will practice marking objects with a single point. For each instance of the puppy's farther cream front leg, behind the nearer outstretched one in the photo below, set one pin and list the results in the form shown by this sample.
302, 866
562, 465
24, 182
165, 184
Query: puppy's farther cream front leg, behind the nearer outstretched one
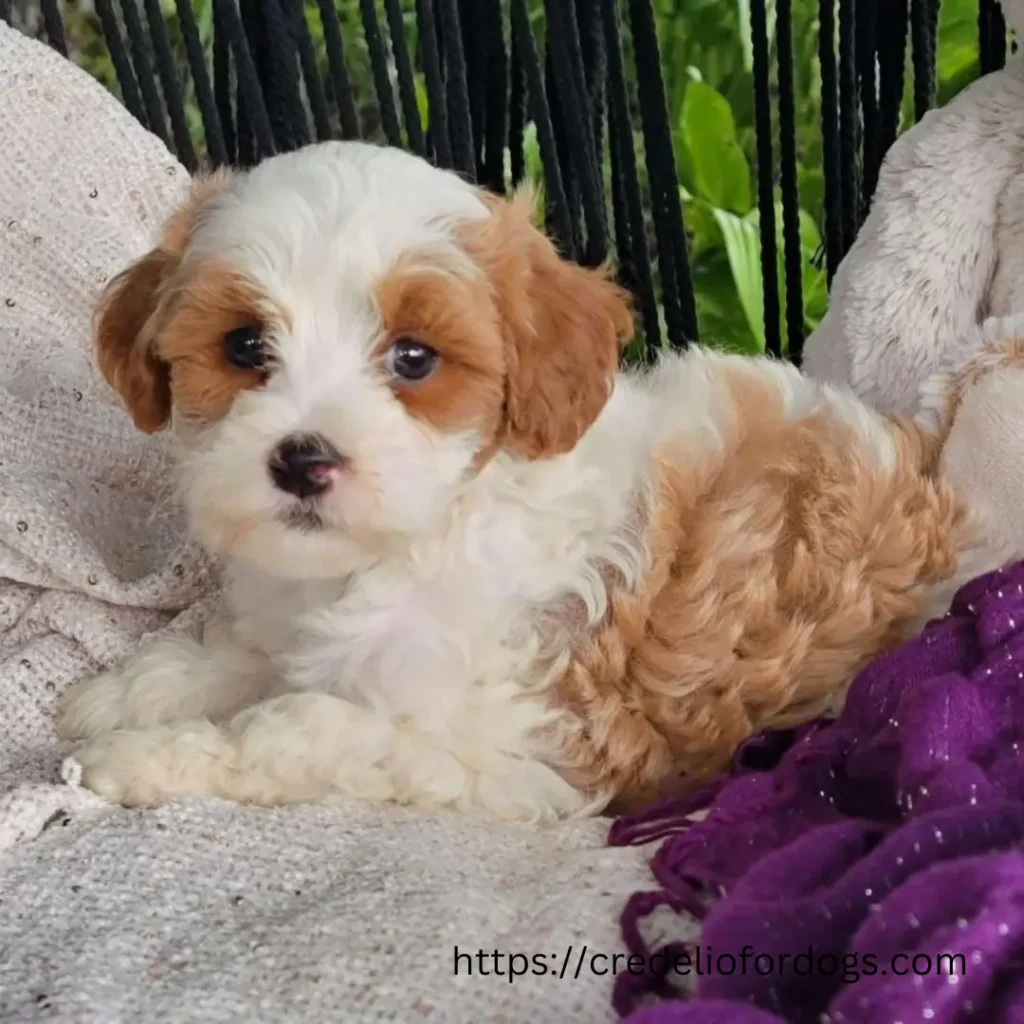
169, 680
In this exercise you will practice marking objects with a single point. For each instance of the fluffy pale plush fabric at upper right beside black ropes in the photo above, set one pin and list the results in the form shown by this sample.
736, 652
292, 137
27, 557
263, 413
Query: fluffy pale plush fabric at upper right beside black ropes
942, 250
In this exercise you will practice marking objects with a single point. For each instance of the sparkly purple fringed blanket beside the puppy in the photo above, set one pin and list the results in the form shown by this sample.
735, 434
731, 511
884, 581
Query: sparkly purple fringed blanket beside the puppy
895, 832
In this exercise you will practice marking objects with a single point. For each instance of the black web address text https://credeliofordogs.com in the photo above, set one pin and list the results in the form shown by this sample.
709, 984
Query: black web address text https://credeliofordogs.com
702, 962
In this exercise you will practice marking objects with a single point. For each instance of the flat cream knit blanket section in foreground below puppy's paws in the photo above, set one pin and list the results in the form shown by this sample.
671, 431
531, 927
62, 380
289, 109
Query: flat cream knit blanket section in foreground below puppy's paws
212, 913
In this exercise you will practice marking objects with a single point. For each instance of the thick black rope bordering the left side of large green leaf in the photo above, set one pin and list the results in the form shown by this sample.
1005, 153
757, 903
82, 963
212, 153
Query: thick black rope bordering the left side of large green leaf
677, 288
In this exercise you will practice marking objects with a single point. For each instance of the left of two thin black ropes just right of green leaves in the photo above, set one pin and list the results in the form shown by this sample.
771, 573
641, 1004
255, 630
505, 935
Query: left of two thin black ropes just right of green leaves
765, 175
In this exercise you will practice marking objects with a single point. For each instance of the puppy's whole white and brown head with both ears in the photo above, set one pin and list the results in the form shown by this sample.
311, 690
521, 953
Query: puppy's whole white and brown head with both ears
343, 338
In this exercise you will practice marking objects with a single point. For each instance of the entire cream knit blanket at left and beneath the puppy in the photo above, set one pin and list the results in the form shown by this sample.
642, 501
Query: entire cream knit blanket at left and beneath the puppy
201, 912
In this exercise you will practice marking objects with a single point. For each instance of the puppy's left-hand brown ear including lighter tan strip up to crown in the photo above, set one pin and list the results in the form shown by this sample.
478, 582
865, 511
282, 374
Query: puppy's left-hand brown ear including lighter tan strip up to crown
124, 334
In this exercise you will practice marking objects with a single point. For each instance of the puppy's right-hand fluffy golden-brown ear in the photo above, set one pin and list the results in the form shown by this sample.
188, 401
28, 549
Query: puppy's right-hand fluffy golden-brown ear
564, 325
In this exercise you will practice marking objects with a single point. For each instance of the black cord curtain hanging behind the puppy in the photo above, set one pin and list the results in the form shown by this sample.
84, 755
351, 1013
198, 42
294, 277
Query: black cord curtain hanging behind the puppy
591, 89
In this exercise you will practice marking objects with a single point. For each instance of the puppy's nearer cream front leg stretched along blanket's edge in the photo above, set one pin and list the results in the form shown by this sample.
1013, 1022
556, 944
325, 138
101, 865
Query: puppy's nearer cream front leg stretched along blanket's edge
310, 748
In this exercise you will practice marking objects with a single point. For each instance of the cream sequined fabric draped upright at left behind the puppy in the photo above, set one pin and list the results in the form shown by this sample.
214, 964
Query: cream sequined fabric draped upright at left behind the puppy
92, 546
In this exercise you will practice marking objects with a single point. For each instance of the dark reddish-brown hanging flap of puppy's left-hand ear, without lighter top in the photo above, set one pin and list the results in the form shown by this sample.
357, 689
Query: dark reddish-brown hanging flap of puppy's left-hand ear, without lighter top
125, 342
